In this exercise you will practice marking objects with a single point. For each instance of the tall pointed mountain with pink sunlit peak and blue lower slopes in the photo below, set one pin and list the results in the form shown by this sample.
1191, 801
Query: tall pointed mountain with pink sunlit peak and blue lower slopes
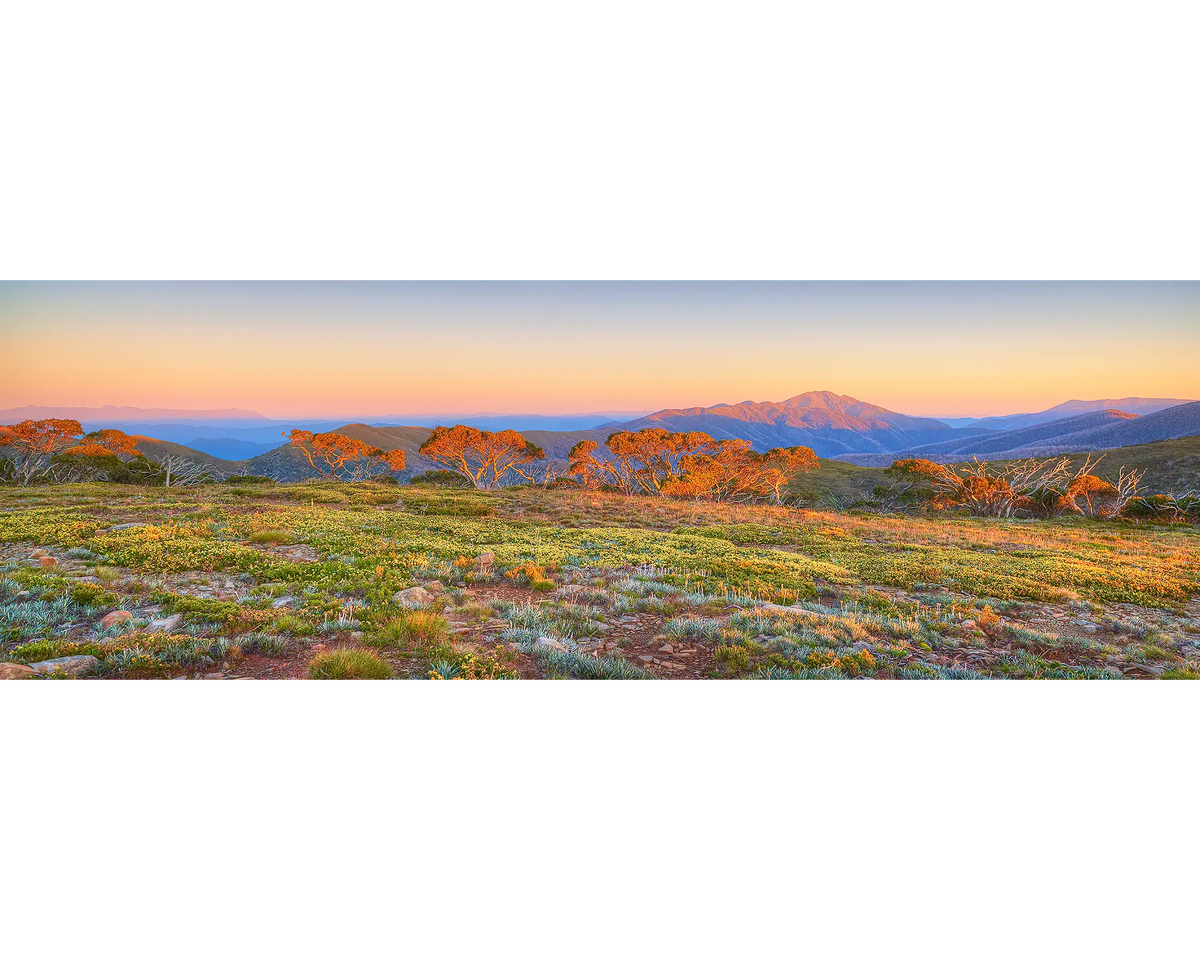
831, 424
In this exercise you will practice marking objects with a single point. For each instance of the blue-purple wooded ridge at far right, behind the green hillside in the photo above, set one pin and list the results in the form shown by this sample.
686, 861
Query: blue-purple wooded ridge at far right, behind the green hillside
1106, 430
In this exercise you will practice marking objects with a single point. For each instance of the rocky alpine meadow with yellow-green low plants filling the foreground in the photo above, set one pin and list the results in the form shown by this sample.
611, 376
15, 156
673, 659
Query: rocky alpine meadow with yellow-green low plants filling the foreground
899, 598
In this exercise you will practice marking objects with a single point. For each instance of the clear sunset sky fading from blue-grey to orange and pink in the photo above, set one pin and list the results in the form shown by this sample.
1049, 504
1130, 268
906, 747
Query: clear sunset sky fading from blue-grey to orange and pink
329, 349
